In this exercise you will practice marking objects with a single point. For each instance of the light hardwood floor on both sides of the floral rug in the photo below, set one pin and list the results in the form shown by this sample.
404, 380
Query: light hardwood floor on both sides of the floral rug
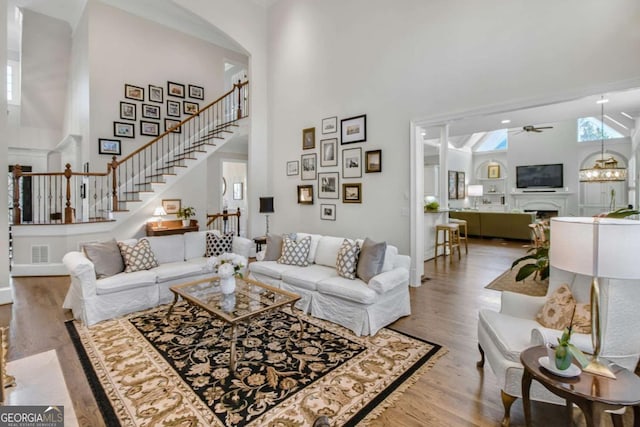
445, 311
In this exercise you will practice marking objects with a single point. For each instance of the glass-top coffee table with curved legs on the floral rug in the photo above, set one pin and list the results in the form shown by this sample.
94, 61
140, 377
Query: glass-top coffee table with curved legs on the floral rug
250, 299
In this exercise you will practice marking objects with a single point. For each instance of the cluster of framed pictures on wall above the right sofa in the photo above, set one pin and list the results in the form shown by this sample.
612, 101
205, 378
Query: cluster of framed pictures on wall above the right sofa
340, 165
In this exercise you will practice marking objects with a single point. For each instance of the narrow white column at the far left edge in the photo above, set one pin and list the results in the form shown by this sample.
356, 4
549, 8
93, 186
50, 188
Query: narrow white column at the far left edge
5, 287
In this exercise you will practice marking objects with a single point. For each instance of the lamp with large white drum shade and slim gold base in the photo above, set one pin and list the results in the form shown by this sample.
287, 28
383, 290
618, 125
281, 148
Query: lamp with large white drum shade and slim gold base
600, 248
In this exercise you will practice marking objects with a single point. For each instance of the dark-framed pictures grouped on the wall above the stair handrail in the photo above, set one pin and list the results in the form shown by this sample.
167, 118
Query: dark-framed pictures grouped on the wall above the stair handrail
147, 108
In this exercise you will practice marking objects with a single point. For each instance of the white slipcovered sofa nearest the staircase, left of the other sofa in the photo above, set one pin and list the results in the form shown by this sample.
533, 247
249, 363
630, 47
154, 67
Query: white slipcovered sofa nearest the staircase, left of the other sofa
180, 259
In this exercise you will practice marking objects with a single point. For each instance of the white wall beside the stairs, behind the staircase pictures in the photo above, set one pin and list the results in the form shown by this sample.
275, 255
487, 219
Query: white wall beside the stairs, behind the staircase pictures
140, 53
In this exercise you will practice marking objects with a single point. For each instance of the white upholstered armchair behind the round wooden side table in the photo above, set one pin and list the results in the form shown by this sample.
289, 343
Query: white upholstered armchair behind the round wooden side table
503, 335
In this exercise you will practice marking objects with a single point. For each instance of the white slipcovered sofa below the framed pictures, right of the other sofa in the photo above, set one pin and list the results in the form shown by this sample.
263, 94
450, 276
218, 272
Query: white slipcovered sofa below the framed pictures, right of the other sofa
362, 307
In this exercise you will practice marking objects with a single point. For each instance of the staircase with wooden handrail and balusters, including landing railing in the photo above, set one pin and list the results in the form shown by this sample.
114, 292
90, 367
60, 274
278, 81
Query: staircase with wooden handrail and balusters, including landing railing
130, 182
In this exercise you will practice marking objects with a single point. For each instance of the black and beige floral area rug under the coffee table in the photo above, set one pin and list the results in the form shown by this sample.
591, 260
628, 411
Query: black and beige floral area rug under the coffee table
146, 371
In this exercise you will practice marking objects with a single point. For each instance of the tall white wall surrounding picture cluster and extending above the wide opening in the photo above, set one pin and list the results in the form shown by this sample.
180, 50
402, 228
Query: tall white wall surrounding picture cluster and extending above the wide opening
396, 61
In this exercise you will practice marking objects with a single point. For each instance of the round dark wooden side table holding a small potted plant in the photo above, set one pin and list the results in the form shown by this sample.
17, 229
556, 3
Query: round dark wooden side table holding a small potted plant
591, 393
